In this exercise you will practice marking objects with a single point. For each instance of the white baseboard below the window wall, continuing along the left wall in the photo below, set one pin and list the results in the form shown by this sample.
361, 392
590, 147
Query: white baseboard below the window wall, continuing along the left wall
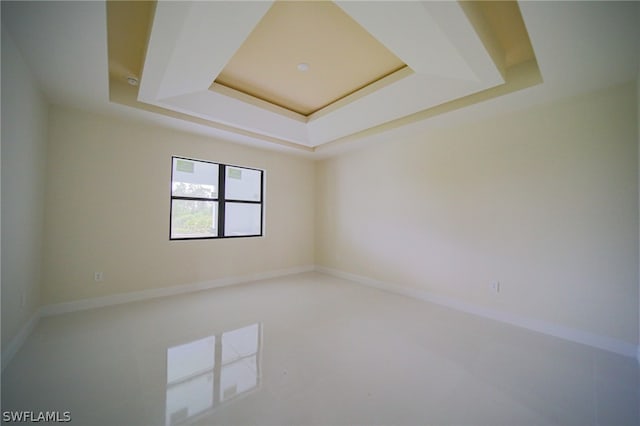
79, 305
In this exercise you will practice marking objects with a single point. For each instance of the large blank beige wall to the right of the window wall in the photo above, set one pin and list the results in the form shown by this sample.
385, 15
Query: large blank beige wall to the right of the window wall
545, 201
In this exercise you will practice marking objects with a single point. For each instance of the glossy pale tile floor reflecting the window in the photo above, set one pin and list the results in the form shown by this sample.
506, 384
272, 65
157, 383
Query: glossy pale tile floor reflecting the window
311, 350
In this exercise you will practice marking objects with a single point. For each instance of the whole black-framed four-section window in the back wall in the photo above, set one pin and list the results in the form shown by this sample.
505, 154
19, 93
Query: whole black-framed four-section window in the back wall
211, 200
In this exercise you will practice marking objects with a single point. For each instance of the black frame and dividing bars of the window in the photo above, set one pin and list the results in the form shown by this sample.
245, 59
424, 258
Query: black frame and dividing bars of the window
222, 200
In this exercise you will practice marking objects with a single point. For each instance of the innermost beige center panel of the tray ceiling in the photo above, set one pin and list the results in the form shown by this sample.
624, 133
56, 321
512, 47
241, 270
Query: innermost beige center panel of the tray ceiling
342, 57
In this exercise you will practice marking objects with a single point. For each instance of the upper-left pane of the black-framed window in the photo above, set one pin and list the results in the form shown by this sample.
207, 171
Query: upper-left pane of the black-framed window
194, 179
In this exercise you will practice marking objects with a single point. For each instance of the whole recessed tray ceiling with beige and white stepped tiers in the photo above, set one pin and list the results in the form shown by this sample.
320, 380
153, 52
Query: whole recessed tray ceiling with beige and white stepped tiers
372, 65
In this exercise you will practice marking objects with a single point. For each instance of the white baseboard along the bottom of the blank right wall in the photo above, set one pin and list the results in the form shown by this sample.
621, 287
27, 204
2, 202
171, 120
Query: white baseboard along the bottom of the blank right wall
579, 336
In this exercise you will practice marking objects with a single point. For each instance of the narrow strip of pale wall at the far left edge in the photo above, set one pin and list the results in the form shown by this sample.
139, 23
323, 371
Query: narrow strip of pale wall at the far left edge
24, 136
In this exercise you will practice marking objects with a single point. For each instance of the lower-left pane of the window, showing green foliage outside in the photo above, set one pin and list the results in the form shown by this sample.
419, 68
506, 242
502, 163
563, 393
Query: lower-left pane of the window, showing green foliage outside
193, 219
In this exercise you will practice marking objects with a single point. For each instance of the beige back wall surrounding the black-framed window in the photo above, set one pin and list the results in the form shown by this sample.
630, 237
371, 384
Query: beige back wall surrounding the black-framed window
108, 210
